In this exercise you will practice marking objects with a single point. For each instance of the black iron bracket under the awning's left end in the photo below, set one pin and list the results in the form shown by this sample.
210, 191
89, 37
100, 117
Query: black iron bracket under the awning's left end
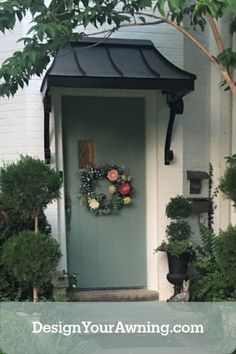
47, 110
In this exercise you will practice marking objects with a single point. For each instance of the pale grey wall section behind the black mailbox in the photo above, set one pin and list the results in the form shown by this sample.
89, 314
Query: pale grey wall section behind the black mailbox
196, 121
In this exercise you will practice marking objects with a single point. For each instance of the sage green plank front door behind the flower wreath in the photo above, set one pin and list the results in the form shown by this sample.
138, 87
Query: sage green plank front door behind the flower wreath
106, 251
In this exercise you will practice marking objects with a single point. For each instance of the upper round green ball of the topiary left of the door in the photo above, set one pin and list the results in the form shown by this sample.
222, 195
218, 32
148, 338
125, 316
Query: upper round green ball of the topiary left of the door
28, 186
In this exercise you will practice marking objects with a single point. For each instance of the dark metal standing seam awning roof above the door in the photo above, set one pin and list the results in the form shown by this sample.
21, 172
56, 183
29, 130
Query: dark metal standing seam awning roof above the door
116, 63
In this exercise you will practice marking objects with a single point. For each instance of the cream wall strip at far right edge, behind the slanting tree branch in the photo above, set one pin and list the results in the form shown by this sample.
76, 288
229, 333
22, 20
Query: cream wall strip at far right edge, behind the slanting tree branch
222, 128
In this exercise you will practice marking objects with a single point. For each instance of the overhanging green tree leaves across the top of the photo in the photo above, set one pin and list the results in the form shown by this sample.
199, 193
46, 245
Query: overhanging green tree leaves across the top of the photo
56, 23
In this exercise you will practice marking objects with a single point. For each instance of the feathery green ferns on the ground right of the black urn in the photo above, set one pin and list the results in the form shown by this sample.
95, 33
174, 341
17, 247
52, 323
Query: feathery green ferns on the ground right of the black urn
209, 282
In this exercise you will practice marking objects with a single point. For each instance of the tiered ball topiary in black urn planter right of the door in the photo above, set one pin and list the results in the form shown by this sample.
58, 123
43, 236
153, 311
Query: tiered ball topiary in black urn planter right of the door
178, 245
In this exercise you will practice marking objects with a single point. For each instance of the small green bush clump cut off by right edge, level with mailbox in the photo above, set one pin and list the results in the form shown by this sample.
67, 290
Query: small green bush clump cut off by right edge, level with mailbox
227, 182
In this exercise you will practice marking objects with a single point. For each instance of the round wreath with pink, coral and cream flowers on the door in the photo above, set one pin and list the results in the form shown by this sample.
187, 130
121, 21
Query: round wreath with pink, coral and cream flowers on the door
120, 189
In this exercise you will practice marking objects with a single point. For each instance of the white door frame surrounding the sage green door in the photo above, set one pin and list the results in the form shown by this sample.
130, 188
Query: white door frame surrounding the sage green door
151, 99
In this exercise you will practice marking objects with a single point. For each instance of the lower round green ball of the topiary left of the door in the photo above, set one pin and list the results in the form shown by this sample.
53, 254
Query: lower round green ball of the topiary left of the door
32, 258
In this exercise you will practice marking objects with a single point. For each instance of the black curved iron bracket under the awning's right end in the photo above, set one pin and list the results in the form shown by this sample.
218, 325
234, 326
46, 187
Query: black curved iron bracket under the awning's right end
176, 105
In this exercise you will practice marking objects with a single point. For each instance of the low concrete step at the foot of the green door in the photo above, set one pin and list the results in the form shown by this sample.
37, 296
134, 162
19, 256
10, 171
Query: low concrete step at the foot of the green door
115, 295
